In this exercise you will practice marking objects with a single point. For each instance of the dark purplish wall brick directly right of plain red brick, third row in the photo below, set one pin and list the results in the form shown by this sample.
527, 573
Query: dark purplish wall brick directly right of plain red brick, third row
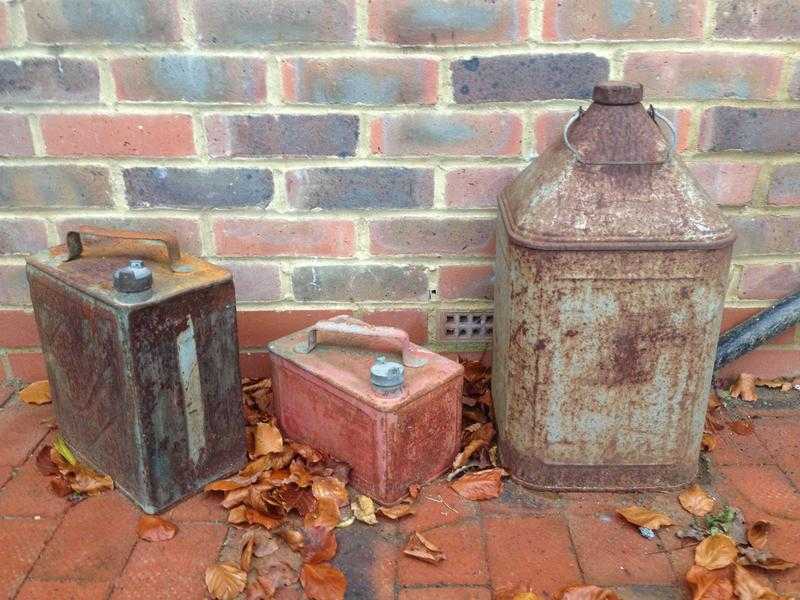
281, 135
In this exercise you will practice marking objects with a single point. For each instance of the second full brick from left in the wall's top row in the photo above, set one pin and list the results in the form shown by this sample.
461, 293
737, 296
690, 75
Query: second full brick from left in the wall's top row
267, 22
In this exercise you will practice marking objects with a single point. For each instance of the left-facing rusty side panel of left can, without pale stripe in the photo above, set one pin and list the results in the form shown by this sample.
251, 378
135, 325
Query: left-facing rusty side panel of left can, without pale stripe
83, 342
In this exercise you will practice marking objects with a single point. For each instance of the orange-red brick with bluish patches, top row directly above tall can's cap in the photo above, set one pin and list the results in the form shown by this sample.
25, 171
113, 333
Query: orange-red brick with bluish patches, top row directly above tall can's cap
610, 20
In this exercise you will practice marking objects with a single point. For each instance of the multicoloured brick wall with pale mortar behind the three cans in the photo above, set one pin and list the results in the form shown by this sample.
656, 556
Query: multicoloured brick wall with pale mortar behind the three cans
345, 155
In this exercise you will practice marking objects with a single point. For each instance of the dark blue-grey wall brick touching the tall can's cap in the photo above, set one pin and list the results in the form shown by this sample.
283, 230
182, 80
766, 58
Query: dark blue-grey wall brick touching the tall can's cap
520, 77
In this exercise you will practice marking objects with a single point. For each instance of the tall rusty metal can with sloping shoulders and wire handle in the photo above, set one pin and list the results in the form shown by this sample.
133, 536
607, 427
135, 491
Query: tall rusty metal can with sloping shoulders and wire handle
611, 268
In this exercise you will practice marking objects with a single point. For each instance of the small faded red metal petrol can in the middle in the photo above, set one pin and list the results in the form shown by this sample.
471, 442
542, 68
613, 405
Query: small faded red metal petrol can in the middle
367, 396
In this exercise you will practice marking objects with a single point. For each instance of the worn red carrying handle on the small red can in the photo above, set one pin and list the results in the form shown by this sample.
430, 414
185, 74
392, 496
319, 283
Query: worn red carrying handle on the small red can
347, 331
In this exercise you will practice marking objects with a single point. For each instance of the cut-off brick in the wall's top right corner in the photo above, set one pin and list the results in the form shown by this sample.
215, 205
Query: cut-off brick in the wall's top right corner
757, 19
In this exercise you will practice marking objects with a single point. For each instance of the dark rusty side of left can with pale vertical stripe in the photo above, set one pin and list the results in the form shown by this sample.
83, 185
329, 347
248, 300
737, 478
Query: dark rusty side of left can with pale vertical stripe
186, 364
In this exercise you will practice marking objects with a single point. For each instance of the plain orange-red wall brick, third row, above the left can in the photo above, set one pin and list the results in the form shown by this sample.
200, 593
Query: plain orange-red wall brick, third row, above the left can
118, 135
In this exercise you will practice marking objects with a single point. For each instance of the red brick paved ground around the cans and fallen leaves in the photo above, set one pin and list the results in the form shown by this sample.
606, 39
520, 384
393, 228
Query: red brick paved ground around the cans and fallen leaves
52, 549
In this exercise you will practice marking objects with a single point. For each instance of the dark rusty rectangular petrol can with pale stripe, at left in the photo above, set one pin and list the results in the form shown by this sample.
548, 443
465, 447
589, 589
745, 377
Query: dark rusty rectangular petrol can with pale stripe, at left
141, 352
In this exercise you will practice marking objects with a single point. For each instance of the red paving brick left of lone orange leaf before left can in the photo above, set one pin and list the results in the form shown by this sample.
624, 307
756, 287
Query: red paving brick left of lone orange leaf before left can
93, 541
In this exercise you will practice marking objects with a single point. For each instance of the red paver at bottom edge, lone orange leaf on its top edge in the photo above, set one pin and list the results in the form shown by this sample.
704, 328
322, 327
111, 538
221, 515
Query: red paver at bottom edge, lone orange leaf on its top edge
172, 569
